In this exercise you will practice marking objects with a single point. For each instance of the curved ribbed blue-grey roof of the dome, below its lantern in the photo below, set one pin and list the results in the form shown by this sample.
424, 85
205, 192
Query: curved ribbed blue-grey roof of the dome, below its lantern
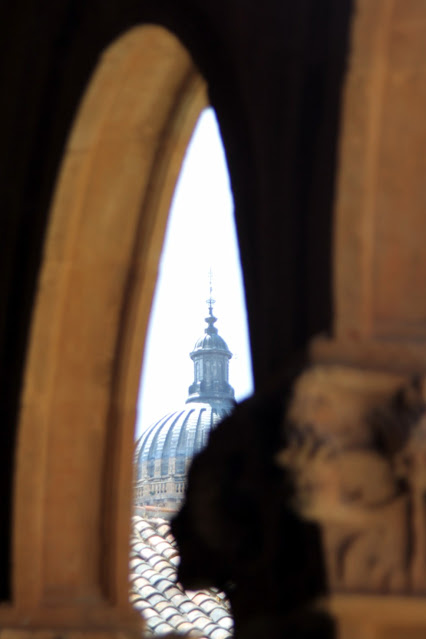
166, 446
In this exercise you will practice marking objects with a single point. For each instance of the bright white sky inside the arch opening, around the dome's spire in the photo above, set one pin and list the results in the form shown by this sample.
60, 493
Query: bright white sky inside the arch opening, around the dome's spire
200, 236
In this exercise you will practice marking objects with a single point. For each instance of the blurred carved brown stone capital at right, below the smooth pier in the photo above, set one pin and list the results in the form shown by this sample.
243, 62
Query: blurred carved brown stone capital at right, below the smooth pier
361, 475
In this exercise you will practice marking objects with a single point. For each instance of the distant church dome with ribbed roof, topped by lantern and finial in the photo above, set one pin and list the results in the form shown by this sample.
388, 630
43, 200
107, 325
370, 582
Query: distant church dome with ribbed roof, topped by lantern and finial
165, 449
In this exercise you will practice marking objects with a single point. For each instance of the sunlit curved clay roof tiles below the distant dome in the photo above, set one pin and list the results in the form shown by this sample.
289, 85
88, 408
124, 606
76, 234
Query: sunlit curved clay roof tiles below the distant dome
165, 606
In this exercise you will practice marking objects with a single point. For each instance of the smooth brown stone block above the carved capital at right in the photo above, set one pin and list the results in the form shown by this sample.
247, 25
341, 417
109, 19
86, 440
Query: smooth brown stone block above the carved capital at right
379, 261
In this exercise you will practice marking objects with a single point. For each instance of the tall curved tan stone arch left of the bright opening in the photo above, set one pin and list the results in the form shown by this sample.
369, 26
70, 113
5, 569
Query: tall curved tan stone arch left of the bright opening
106, 226
